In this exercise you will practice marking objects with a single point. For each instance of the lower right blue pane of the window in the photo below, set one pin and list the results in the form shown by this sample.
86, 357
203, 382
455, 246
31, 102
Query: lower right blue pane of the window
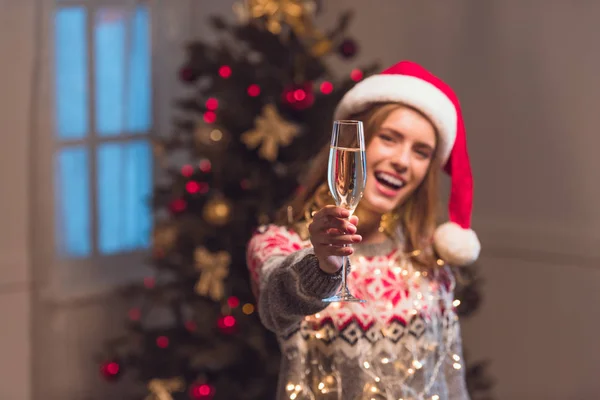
124, 185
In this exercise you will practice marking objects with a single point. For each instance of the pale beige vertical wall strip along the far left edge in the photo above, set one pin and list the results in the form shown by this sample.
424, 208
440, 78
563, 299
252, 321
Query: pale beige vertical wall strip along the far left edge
15, 278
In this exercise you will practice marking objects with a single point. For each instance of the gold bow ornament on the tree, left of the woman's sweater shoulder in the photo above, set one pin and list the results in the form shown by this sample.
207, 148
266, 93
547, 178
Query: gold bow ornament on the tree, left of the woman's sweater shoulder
214, 268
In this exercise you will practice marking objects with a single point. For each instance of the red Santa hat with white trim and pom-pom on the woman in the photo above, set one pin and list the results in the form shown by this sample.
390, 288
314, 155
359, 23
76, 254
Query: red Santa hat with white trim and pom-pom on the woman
411, 84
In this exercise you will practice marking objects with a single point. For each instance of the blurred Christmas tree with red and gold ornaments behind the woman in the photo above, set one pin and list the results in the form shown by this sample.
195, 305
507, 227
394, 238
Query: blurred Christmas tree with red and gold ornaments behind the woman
261, 100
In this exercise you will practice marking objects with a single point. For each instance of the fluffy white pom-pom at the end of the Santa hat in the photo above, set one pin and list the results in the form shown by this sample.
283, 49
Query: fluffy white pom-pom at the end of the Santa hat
455, 245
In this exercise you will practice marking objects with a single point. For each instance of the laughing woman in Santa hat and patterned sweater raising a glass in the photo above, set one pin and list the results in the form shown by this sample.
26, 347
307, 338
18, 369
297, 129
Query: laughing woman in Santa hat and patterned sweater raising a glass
404, 342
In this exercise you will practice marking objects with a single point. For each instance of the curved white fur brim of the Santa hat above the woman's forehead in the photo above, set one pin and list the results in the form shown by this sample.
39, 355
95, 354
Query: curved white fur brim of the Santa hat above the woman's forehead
409, 90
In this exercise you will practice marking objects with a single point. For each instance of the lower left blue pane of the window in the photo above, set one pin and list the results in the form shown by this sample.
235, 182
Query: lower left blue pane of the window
72, 202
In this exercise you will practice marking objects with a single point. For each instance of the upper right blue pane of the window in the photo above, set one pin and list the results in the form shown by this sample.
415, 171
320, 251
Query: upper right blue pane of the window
122, 71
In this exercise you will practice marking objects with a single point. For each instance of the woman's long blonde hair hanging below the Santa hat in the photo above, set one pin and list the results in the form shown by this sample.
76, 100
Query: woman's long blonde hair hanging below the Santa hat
417, 216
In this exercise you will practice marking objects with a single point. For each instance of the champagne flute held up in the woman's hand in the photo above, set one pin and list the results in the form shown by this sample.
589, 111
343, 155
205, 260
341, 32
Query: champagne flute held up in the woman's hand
347, 176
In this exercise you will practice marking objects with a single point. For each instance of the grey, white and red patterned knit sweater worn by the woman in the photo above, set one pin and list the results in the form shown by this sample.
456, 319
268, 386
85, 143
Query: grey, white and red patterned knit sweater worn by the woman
403, 343
